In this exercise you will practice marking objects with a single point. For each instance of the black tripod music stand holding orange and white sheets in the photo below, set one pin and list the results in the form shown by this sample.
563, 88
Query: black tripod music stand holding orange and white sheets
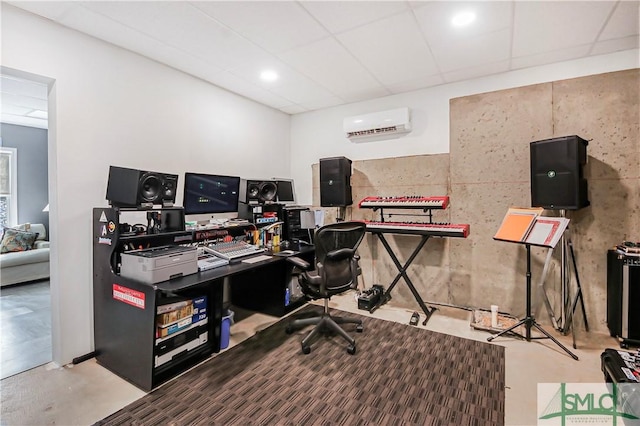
525, 226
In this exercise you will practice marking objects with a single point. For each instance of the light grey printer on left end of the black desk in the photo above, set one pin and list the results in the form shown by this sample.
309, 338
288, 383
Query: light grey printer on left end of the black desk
157, 264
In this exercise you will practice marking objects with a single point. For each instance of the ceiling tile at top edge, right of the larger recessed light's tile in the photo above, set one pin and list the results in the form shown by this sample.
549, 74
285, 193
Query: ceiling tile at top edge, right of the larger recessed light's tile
549, 26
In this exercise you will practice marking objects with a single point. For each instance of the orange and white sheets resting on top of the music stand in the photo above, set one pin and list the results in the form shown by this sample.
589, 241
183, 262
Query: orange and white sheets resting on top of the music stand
527, 226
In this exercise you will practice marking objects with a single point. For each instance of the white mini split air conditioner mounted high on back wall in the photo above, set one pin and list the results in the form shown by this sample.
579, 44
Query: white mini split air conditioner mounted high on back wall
377, 125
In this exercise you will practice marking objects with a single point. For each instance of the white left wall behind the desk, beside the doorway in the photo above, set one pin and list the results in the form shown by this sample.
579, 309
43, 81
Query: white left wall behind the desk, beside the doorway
109, 106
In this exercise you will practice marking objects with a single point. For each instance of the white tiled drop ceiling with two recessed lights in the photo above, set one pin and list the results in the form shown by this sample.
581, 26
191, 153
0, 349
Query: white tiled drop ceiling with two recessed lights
328, 53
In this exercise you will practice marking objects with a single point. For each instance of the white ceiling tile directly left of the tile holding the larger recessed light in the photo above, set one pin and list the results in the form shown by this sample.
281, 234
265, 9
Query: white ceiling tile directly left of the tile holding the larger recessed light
392, 49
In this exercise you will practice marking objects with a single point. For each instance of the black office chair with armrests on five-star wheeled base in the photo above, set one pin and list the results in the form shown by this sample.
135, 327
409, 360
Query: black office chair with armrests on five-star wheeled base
336, 271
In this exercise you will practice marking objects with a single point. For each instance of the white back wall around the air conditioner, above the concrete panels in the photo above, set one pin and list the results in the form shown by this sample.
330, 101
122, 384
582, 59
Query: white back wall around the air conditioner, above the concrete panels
319, 134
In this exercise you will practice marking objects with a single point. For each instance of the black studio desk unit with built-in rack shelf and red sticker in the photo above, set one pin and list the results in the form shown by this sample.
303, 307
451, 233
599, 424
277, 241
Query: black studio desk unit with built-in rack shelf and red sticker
125, 309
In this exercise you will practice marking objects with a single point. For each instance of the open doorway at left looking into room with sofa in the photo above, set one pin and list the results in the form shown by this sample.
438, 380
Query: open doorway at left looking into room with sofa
25, 306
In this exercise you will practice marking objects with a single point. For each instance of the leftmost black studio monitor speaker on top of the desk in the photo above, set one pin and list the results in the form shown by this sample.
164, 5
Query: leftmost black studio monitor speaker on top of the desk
138, 188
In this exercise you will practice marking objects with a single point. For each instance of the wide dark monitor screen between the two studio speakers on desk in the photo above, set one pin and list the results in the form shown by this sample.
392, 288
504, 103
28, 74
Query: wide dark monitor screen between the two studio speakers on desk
205, 193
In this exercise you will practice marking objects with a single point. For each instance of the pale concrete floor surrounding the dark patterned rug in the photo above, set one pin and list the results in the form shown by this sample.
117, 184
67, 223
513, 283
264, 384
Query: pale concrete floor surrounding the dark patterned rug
85, 393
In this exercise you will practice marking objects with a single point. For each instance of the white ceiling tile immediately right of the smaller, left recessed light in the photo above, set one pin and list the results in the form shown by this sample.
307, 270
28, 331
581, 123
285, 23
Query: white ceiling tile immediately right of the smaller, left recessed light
328, 63
